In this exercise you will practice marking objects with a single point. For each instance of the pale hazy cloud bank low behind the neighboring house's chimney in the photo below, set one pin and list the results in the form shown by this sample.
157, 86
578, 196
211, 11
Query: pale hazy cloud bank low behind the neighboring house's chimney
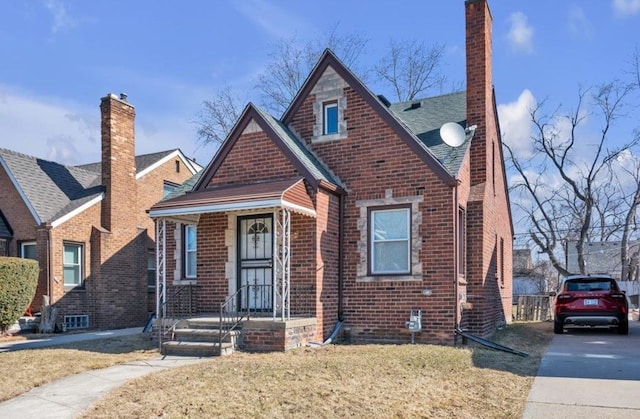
69, 132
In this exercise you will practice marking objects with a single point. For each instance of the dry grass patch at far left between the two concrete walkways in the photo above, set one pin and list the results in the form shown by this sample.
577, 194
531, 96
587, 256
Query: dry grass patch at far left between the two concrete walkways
26, 369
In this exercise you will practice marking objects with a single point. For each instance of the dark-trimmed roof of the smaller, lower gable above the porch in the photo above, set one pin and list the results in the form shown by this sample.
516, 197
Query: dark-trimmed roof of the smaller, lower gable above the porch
296, 151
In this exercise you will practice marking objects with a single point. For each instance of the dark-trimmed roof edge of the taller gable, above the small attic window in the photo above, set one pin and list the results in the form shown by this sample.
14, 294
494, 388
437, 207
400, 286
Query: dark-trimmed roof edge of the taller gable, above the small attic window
327, 59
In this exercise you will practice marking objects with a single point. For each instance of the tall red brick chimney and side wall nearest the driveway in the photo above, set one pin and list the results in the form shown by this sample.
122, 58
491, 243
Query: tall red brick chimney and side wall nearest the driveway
490, 278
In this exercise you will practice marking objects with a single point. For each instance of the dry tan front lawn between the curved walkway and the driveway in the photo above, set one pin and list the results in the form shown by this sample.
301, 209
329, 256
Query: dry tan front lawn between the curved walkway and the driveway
344, 380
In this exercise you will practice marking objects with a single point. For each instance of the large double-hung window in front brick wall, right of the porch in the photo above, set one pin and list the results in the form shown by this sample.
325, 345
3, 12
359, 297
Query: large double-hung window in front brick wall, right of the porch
390, 241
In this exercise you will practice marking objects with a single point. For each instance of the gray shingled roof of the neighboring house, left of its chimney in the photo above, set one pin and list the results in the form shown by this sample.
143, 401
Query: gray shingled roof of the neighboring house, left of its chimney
51, 188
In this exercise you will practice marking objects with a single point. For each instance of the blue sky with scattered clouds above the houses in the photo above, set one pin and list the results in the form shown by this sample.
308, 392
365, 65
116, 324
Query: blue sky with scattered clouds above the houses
59, 57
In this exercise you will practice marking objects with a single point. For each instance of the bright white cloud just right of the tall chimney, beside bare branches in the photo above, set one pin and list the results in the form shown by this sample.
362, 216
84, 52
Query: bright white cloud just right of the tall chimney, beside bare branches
515, 123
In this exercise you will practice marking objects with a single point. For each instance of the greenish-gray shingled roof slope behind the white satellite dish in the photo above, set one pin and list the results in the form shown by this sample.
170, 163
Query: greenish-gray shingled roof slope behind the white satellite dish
425, 122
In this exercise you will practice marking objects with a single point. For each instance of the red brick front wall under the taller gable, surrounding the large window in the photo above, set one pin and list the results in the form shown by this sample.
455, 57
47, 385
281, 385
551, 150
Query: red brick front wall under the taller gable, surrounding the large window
371, 160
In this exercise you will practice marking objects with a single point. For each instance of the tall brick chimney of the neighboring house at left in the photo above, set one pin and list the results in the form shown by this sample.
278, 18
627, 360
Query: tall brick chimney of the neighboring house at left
118, 163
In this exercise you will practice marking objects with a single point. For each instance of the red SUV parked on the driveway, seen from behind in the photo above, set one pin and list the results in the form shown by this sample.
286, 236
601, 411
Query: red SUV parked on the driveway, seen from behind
590, 300
